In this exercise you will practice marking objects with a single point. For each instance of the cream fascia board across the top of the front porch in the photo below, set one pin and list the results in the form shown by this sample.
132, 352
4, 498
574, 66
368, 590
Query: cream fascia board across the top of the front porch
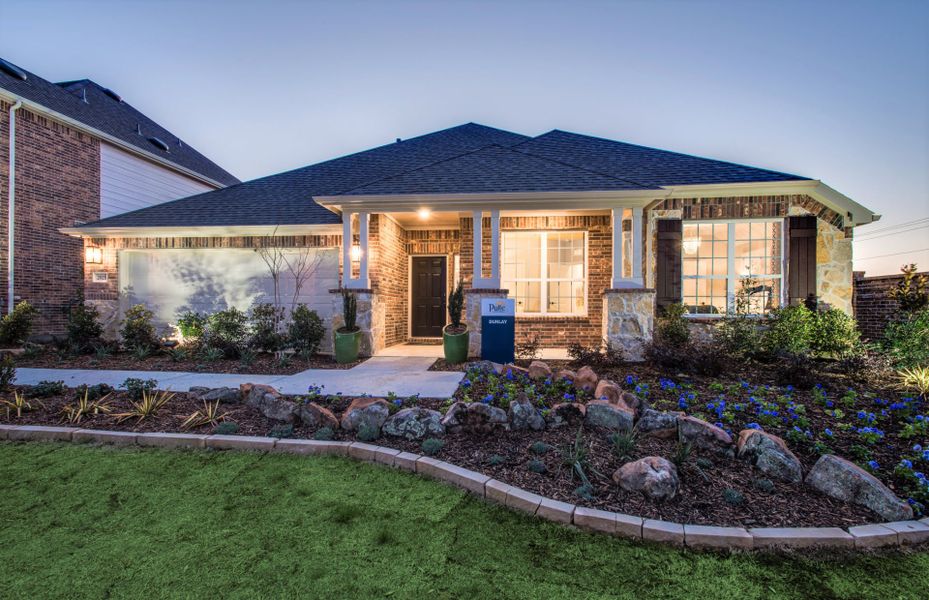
497, 201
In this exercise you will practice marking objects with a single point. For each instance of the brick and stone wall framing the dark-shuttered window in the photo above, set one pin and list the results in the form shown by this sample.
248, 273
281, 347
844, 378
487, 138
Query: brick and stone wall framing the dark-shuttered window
833, 243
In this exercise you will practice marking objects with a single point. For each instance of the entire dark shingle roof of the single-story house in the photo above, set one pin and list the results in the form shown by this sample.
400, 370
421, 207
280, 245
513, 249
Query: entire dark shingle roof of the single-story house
469, 158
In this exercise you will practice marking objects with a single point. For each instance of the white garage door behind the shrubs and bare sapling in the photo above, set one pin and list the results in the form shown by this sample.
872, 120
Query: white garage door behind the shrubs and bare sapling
171, 282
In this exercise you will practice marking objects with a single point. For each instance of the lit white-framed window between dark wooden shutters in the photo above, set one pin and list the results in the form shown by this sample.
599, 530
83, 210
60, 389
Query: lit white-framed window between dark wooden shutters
732, 266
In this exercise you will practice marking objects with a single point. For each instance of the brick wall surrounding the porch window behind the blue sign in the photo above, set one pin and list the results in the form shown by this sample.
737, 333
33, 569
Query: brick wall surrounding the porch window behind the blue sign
555, 332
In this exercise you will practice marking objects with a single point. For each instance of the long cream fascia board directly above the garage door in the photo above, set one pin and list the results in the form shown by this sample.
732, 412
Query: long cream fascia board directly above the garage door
206, 231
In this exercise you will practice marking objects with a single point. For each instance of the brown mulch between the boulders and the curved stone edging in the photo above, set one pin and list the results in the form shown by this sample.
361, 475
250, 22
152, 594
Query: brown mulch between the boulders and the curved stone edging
699, 500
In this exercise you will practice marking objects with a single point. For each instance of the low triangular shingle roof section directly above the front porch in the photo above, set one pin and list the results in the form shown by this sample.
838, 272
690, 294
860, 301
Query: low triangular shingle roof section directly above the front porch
494, 169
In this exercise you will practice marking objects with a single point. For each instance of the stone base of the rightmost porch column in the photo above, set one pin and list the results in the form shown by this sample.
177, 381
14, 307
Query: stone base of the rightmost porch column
629, 320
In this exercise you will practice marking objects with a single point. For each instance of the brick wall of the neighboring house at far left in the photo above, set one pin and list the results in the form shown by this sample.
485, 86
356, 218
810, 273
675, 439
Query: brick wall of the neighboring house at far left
57, 185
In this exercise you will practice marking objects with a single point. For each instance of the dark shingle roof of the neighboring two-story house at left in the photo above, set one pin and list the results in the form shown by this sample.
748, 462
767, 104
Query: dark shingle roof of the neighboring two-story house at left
118, 119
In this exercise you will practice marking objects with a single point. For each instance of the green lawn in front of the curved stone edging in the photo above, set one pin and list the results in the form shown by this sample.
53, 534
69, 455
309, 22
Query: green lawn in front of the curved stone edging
80, 521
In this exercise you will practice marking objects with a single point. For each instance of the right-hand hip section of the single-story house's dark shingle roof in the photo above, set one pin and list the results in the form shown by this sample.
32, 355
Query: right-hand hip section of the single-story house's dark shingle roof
646, 166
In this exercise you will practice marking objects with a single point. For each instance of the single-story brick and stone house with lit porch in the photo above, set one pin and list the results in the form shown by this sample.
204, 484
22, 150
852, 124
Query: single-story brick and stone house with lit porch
589, 236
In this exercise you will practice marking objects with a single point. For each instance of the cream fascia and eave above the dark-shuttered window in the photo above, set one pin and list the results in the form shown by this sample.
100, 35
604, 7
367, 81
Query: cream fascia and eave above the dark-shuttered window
854, 213
